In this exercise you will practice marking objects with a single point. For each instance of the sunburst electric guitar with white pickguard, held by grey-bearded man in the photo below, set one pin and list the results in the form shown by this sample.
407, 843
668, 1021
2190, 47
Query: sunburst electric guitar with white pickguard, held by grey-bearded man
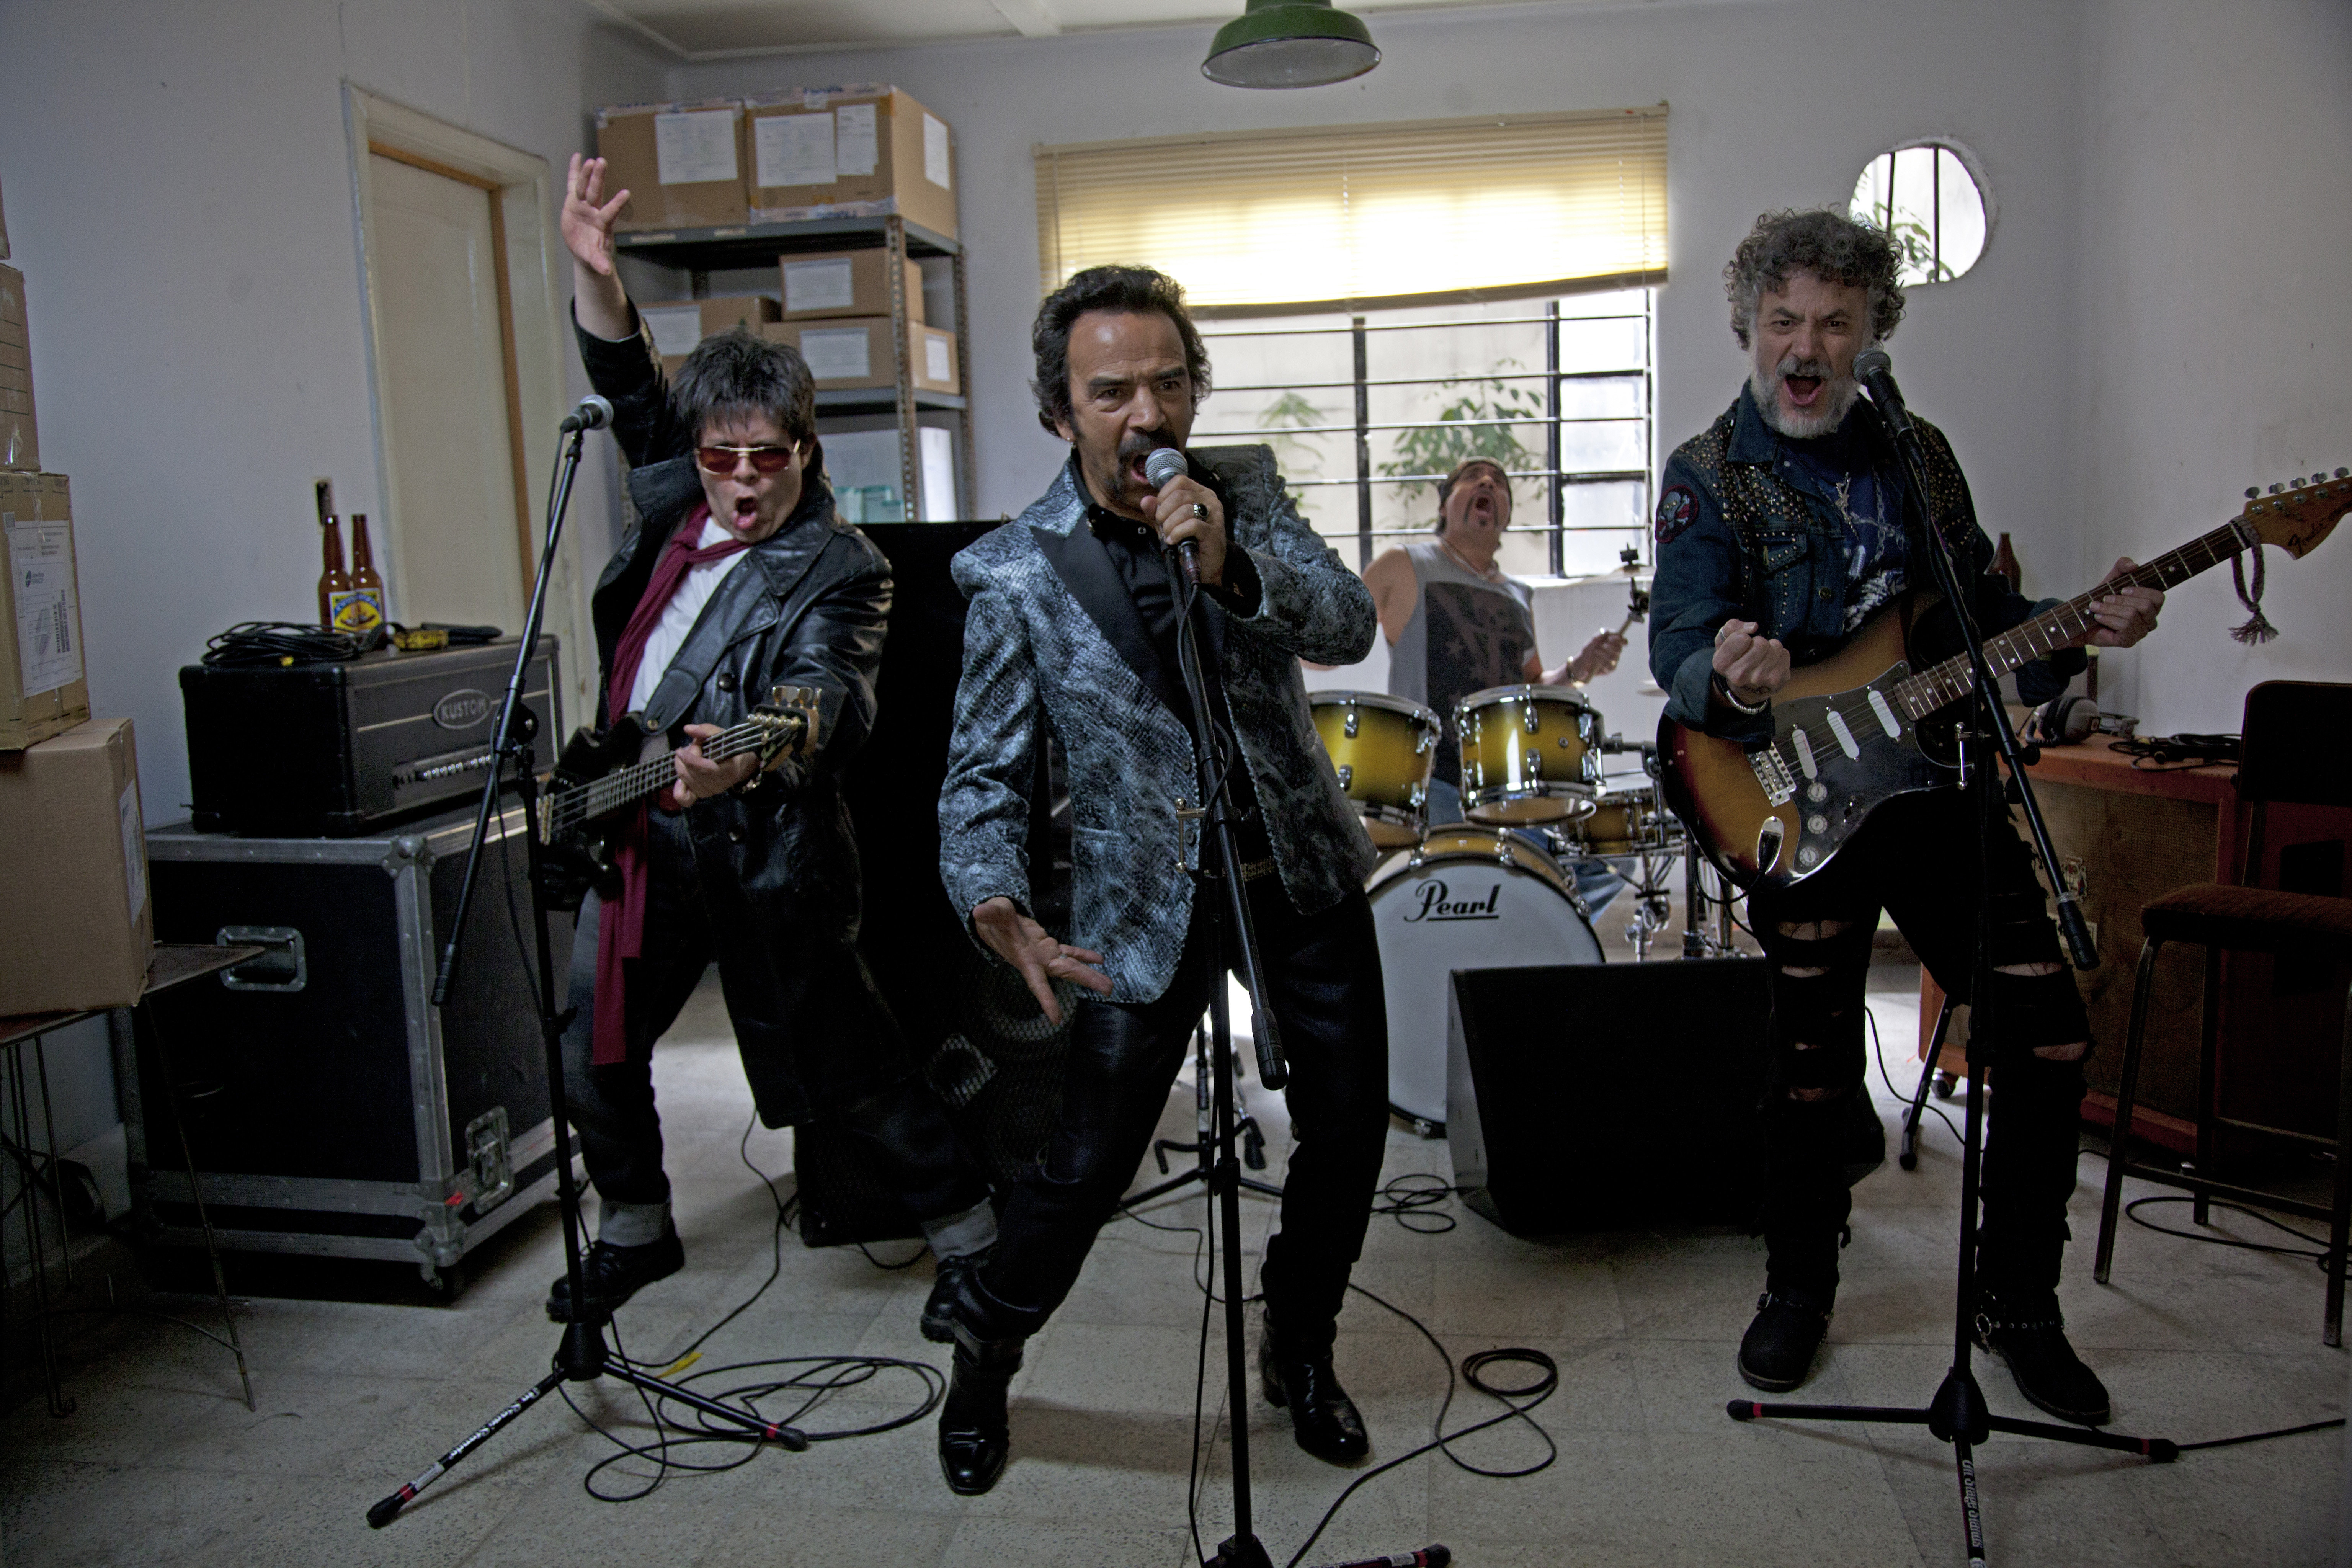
1864, 725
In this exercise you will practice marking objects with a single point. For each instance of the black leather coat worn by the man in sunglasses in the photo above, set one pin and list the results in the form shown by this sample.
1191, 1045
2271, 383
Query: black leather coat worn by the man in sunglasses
777, 864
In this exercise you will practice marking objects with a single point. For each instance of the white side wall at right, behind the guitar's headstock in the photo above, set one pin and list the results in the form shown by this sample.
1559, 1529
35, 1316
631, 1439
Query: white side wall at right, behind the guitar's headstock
2217, 333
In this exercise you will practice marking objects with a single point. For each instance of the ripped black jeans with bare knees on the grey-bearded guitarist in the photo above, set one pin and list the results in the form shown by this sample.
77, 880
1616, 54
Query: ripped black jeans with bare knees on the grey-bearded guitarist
1918, 859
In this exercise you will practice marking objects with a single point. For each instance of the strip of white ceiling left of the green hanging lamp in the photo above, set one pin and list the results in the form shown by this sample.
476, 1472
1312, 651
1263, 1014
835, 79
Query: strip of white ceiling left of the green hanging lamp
742, 27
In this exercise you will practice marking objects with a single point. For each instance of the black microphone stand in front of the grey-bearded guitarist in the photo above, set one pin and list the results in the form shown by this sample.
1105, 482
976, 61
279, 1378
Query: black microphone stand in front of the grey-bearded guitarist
1958, 1412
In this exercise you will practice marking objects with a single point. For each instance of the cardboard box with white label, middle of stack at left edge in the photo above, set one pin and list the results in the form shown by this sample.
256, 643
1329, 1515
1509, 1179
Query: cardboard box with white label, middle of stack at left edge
44, 685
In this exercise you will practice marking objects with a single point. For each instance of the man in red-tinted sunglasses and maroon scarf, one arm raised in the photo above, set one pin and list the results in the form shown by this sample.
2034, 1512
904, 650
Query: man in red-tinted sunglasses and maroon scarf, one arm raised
744, 866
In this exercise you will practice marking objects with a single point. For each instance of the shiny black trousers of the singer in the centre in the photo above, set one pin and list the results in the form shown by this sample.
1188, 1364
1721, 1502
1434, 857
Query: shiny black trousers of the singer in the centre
1325, 991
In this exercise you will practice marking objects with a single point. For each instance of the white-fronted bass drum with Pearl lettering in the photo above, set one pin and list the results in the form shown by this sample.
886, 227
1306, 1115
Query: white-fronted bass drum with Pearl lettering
1462, 899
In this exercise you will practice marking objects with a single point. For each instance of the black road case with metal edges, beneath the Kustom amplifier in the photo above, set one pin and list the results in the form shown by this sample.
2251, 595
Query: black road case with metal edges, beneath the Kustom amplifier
333, 1111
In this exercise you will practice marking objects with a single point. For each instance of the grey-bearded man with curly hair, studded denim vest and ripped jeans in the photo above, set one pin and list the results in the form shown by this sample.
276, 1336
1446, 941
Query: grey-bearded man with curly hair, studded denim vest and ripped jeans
1782, 532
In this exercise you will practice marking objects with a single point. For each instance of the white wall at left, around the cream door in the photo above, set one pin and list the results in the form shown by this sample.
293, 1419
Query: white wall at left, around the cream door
180, 199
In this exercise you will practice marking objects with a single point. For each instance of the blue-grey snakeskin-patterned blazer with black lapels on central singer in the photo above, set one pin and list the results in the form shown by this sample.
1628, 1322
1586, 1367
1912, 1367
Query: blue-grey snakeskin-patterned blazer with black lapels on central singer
1053, 634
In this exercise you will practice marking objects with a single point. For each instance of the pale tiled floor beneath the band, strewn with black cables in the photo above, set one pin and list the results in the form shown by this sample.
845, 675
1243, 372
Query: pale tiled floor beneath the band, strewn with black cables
163, 1463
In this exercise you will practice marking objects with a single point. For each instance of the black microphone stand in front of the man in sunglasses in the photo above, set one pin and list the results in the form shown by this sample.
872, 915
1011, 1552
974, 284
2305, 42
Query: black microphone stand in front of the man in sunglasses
580, 1355
